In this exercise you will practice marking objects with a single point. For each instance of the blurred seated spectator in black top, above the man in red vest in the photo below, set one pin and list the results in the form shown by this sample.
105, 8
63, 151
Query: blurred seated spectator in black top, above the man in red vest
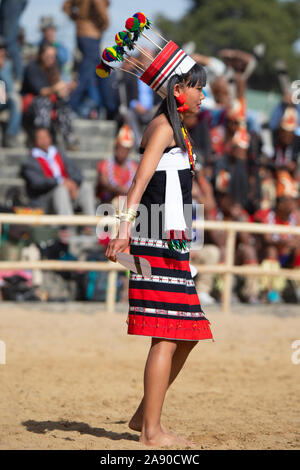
45, 95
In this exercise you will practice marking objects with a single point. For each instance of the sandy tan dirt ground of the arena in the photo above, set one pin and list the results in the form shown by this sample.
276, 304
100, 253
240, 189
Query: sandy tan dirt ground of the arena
73, 378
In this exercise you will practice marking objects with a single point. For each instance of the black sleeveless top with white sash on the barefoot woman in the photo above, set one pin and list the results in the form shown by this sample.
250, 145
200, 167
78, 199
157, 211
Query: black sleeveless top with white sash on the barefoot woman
171, 188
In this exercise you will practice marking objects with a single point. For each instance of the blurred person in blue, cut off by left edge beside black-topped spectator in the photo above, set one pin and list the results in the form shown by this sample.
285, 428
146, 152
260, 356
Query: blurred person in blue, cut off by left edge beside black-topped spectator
9, 100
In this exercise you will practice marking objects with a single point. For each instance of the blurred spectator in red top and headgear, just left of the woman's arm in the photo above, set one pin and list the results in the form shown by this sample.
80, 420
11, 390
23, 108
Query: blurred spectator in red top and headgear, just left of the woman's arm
116, 174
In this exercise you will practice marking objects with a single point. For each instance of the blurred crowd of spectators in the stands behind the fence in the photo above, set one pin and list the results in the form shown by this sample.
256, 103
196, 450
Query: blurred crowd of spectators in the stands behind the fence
247, 164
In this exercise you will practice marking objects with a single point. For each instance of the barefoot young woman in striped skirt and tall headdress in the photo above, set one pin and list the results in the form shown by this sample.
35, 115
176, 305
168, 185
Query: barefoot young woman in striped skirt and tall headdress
165, 305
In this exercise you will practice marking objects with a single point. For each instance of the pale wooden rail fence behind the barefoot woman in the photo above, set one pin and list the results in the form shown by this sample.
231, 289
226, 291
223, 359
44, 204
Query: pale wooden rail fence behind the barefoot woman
228, 269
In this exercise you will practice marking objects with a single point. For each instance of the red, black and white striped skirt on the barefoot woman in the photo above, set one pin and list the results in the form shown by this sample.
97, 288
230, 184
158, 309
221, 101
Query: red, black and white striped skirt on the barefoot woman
165, 305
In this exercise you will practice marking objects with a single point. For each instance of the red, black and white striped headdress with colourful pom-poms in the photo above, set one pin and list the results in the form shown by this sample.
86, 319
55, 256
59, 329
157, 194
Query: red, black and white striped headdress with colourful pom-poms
169, 60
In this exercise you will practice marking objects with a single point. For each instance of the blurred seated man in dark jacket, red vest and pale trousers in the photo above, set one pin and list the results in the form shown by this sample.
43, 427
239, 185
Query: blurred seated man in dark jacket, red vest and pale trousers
53, 181
